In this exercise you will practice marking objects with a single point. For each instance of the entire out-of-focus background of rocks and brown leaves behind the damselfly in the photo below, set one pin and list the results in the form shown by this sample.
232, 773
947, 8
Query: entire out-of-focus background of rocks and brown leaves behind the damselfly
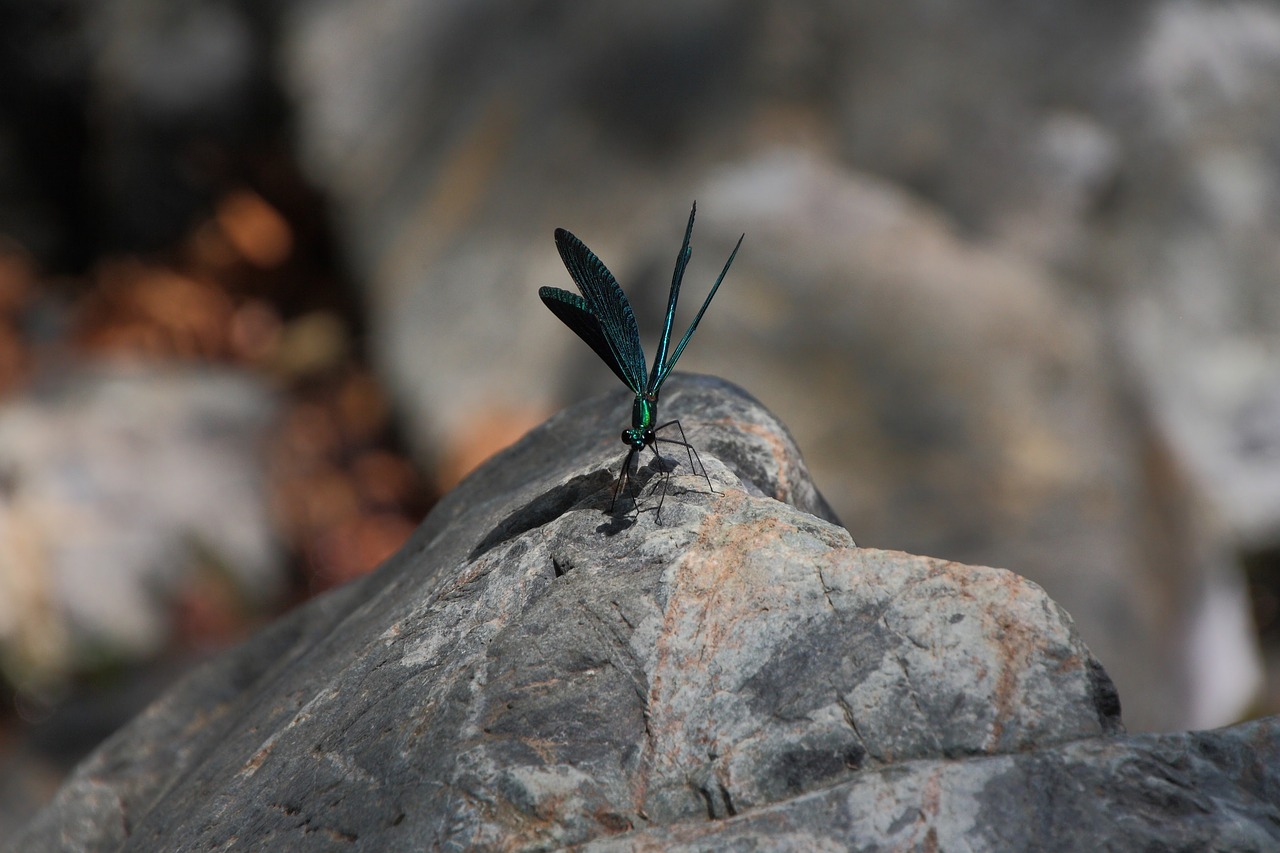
268, 288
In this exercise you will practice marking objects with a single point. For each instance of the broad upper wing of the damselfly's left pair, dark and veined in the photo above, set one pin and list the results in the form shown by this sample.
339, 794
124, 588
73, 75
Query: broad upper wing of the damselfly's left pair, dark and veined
609, 305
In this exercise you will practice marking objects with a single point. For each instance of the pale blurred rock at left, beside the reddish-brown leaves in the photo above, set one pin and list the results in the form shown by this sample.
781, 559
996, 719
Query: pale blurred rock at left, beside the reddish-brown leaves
121, 486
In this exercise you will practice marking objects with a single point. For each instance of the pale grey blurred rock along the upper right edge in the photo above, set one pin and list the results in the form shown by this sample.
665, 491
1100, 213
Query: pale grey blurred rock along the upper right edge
1200, 307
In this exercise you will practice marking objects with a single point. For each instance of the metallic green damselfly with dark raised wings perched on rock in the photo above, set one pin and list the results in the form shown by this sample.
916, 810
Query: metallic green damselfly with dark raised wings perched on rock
604, 318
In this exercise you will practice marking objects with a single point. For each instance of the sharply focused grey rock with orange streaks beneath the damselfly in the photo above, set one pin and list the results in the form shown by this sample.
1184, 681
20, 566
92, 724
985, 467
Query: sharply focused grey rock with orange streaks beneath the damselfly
531, 672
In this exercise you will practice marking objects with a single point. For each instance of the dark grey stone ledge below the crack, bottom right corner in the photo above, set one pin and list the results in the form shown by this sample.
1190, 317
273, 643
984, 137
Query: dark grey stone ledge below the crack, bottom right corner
1178, 792
